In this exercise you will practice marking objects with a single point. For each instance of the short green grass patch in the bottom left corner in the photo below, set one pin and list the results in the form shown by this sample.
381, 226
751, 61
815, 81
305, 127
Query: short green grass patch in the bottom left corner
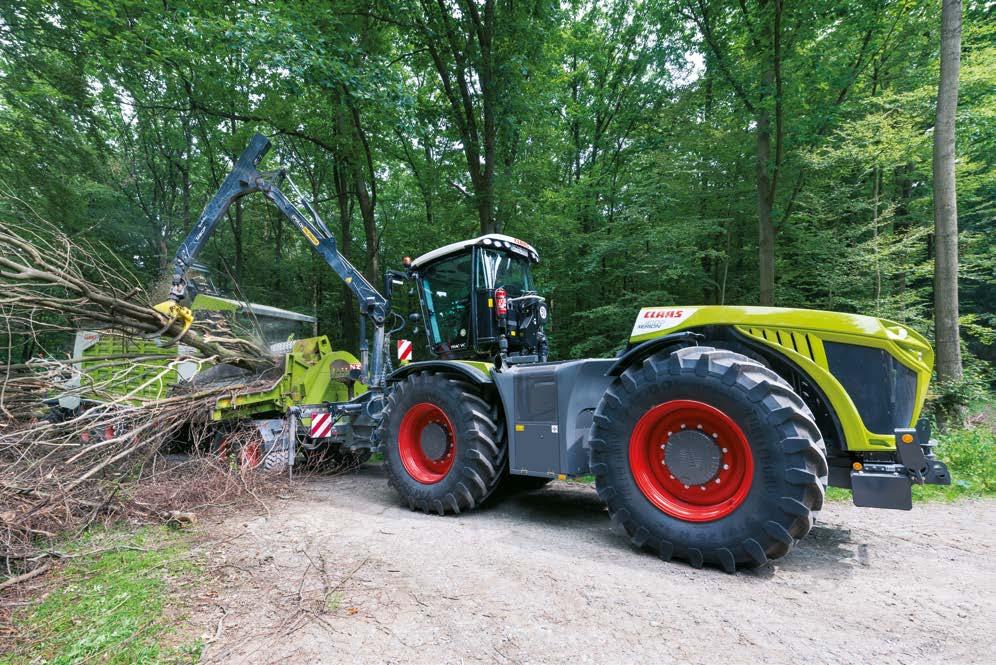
111, 607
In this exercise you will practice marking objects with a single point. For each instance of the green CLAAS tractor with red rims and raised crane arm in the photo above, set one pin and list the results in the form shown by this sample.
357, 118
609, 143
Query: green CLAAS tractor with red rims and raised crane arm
712, 436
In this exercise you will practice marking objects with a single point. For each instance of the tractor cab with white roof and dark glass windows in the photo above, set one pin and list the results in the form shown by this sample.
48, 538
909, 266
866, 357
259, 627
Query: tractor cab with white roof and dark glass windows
478, 300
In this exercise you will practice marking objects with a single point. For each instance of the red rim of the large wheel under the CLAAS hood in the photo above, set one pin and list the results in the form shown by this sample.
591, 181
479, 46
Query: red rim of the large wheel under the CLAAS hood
706, 500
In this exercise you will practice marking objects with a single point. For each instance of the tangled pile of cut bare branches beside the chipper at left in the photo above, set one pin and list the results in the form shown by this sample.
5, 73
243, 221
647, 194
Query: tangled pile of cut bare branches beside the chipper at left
108, 455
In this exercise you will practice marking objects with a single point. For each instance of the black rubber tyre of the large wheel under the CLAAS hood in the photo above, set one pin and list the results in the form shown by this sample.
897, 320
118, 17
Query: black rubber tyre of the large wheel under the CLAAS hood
788, 456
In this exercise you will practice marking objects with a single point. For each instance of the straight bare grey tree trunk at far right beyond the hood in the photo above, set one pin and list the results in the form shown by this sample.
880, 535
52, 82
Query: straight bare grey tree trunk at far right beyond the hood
945, 200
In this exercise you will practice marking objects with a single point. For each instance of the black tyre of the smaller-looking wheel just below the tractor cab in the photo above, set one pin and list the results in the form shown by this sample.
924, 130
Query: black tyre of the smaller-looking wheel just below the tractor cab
474, 444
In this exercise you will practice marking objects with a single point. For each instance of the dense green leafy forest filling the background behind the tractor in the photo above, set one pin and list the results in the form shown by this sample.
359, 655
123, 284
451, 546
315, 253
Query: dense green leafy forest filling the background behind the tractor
670, 151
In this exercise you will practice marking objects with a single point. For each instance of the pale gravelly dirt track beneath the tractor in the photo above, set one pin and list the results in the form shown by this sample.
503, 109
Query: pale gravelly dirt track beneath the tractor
340, 573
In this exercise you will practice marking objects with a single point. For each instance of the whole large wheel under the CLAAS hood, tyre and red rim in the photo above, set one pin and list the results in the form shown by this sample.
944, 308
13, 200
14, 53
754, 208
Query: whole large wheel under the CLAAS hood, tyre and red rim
708, 456
